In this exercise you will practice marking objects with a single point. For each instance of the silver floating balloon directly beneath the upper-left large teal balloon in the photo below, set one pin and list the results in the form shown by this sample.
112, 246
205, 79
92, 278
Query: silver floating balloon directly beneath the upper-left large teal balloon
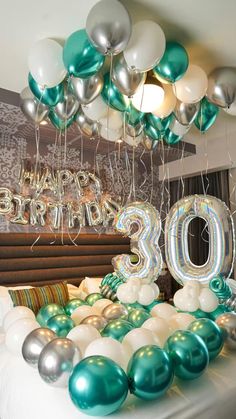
86, 90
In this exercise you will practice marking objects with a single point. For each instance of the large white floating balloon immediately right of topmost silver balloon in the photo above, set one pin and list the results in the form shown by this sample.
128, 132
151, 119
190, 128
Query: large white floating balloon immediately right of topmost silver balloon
146, 46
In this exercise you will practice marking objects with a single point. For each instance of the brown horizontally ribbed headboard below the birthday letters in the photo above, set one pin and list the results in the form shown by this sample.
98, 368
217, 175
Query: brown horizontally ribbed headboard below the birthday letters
47, 263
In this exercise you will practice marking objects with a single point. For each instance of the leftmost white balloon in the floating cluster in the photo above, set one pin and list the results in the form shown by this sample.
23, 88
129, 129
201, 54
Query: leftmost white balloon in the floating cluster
46, 64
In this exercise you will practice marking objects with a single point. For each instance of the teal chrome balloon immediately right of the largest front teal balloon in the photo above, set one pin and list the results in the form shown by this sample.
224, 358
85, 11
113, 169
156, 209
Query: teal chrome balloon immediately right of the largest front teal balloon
150, 372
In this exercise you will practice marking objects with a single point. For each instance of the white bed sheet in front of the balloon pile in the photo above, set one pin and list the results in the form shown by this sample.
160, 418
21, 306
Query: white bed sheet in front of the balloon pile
23, 395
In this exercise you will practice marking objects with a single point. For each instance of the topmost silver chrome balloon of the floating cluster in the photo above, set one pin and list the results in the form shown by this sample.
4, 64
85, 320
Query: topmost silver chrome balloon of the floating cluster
108, 26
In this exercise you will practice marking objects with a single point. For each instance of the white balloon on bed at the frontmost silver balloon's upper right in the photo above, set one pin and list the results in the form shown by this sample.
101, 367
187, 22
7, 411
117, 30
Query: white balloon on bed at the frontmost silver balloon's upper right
83, 335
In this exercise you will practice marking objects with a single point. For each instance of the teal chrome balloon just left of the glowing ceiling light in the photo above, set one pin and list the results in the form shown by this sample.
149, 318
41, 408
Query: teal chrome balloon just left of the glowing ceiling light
112, 96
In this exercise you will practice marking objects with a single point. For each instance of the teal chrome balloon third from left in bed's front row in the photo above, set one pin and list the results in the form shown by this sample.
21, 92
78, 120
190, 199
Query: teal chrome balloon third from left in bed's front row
188, 353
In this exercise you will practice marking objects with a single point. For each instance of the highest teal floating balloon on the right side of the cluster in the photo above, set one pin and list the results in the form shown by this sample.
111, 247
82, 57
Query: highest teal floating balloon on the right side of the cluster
173, 64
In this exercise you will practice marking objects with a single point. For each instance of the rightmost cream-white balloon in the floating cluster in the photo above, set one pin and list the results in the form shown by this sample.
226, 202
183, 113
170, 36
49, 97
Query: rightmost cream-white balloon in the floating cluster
192, 86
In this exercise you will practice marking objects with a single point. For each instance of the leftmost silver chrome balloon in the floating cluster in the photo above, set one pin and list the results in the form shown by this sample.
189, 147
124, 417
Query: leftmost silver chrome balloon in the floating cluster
32, 108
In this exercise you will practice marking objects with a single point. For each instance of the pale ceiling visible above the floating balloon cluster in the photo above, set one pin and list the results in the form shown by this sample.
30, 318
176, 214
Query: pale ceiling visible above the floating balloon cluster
205, 27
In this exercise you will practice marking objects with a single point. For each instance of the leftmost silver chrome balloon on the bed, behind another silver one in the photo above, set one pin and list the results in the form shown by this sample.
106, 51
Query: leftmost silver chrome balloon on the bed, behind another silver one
34, 344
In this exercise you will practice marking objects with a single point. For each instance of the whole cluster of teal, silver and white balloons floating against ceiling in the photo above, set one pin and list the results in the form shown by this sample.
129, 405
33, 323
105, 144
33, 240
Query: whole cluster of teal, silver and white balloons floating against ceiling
123, 81
